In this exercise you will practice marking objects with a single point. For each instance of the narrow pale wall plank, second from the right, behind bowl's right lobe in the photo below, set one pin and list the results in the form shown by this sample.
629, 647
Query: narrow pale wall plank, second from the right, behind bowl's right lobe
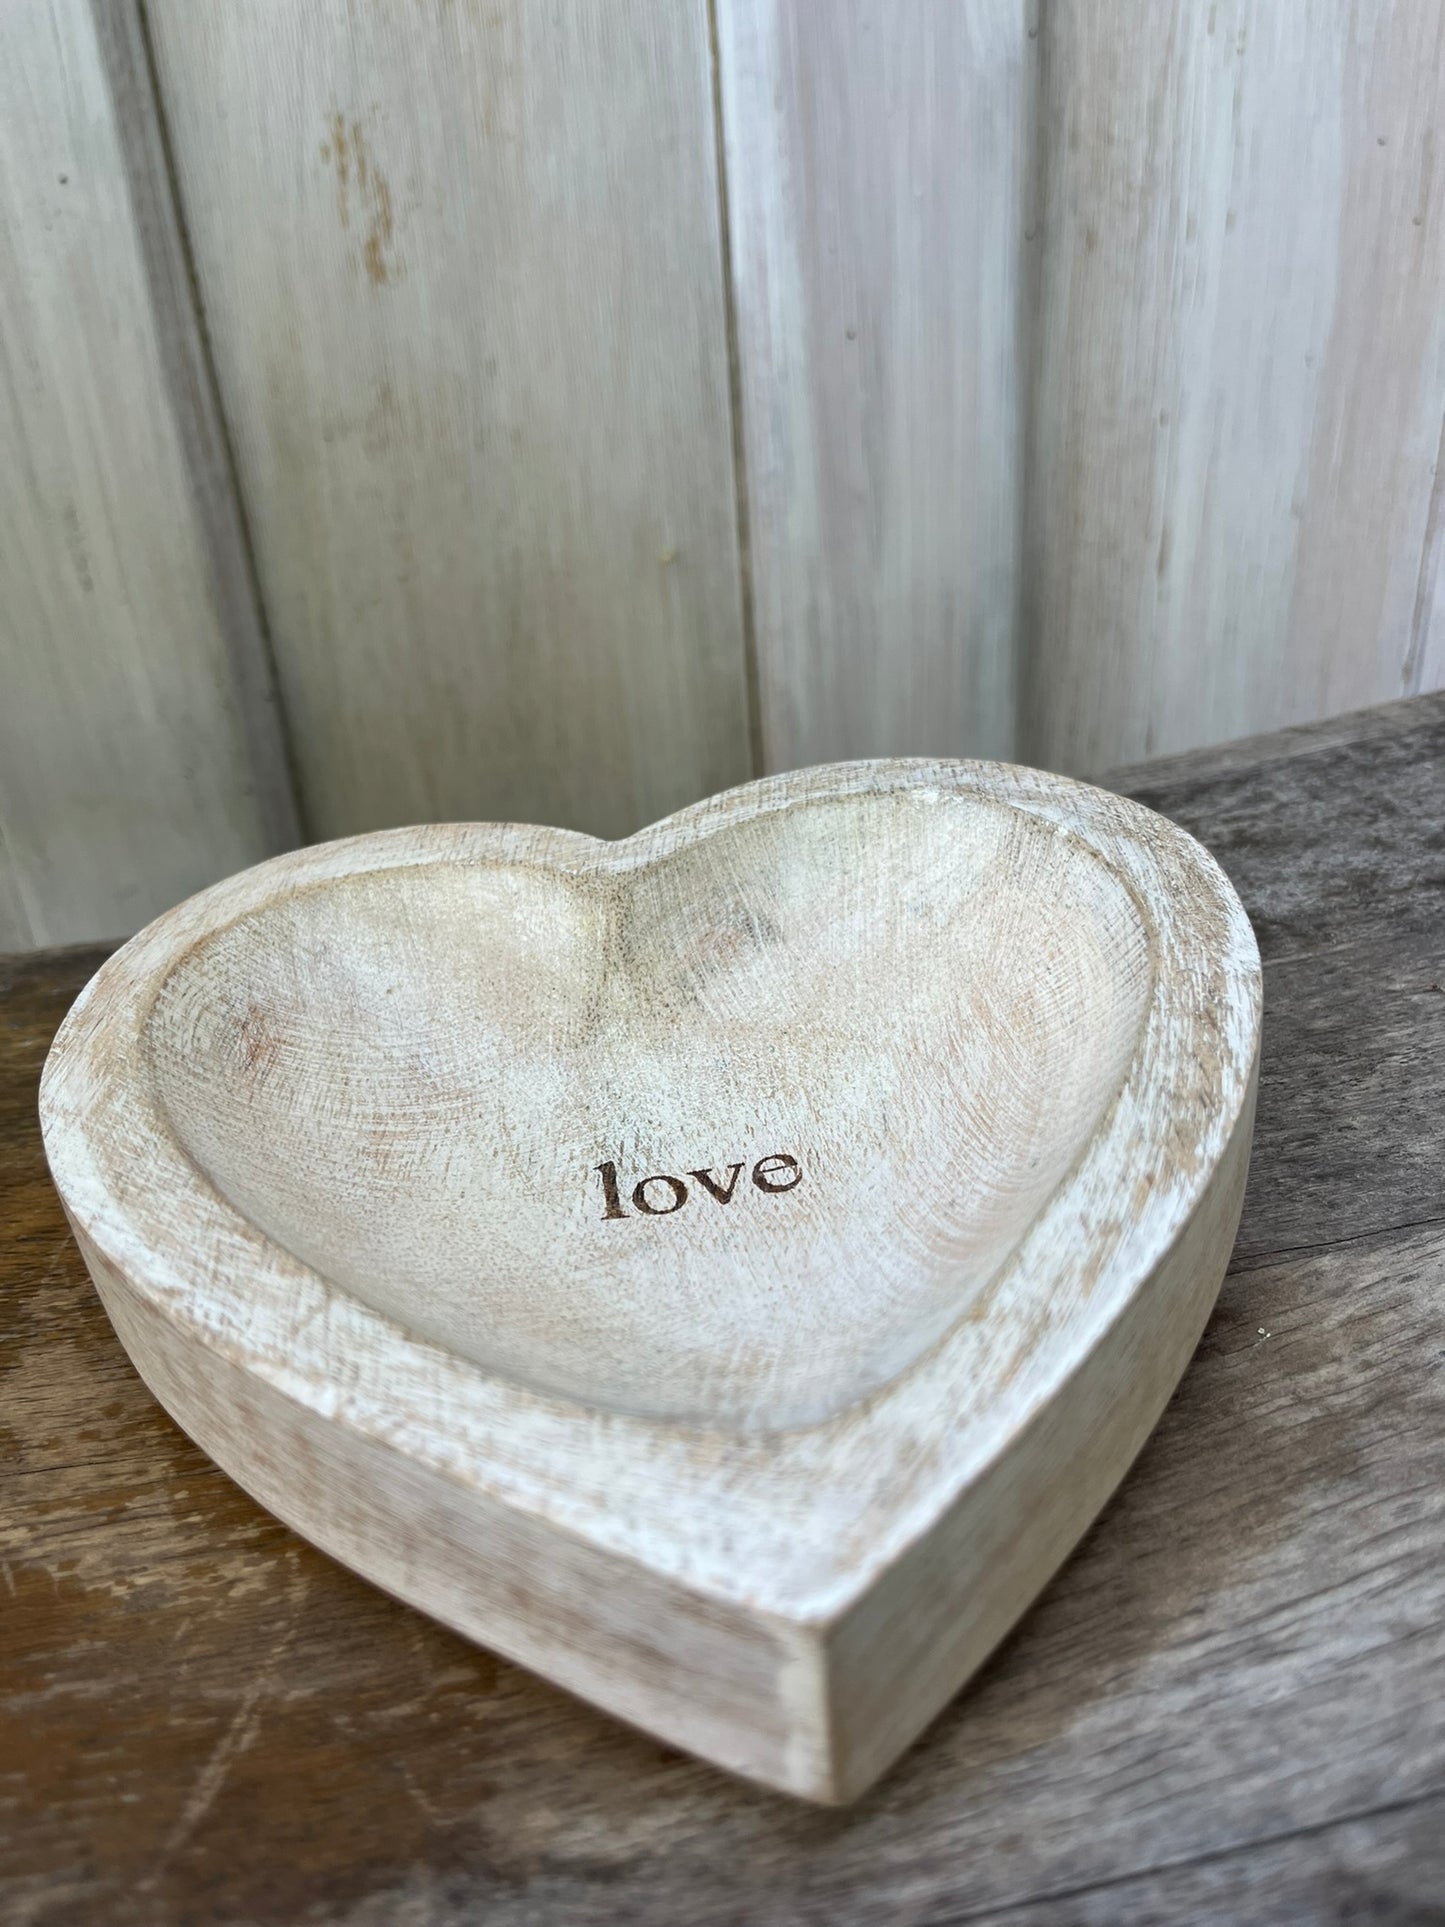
878, 194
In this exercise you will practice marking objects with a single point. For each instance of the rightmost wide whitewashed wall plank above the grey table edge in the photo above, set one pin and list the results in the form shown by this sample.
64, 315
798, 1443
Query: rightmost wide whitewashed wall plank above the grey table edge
1240, 386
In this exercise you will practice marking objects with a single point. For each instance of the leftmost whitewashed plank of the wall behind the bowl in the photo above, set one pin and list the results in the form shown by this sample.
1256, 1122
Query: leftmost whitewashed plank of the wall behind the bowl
124, 778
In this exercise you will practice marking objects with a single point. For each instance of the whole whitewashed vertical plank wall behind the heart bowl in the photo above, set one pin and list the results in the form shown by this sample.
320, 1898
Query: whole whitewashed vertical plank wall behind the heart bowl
560, 413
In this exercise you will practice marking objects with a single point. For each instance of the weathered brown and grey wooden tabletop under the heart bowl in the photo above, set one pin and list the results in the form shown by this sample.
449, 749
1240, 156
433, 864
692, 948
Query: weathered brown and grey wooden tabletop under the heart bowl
1228, 1706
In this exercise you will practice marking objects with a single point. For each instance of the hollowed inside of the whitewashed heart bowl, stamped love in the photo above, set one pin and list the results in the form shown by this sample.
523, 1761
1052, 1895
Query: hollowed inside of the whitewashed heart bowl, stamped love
725, 1138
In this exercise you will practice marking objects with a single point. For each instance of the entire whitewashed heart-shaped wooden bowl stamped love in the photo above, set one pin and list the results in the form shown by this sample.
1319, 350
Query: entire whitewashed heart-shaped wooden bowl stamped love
727, 1269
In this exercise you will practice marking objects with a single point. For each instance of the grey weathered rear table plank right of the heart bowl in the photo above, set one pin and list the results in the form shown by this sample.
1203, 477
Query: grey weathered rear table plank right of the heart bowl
1352, 937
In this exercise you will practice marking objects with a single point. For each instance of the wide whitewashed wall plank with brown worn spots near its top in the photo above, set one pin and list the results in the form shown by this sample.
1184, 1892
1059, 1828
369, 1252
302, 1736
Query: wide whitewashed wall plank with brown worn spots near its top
463, 277
